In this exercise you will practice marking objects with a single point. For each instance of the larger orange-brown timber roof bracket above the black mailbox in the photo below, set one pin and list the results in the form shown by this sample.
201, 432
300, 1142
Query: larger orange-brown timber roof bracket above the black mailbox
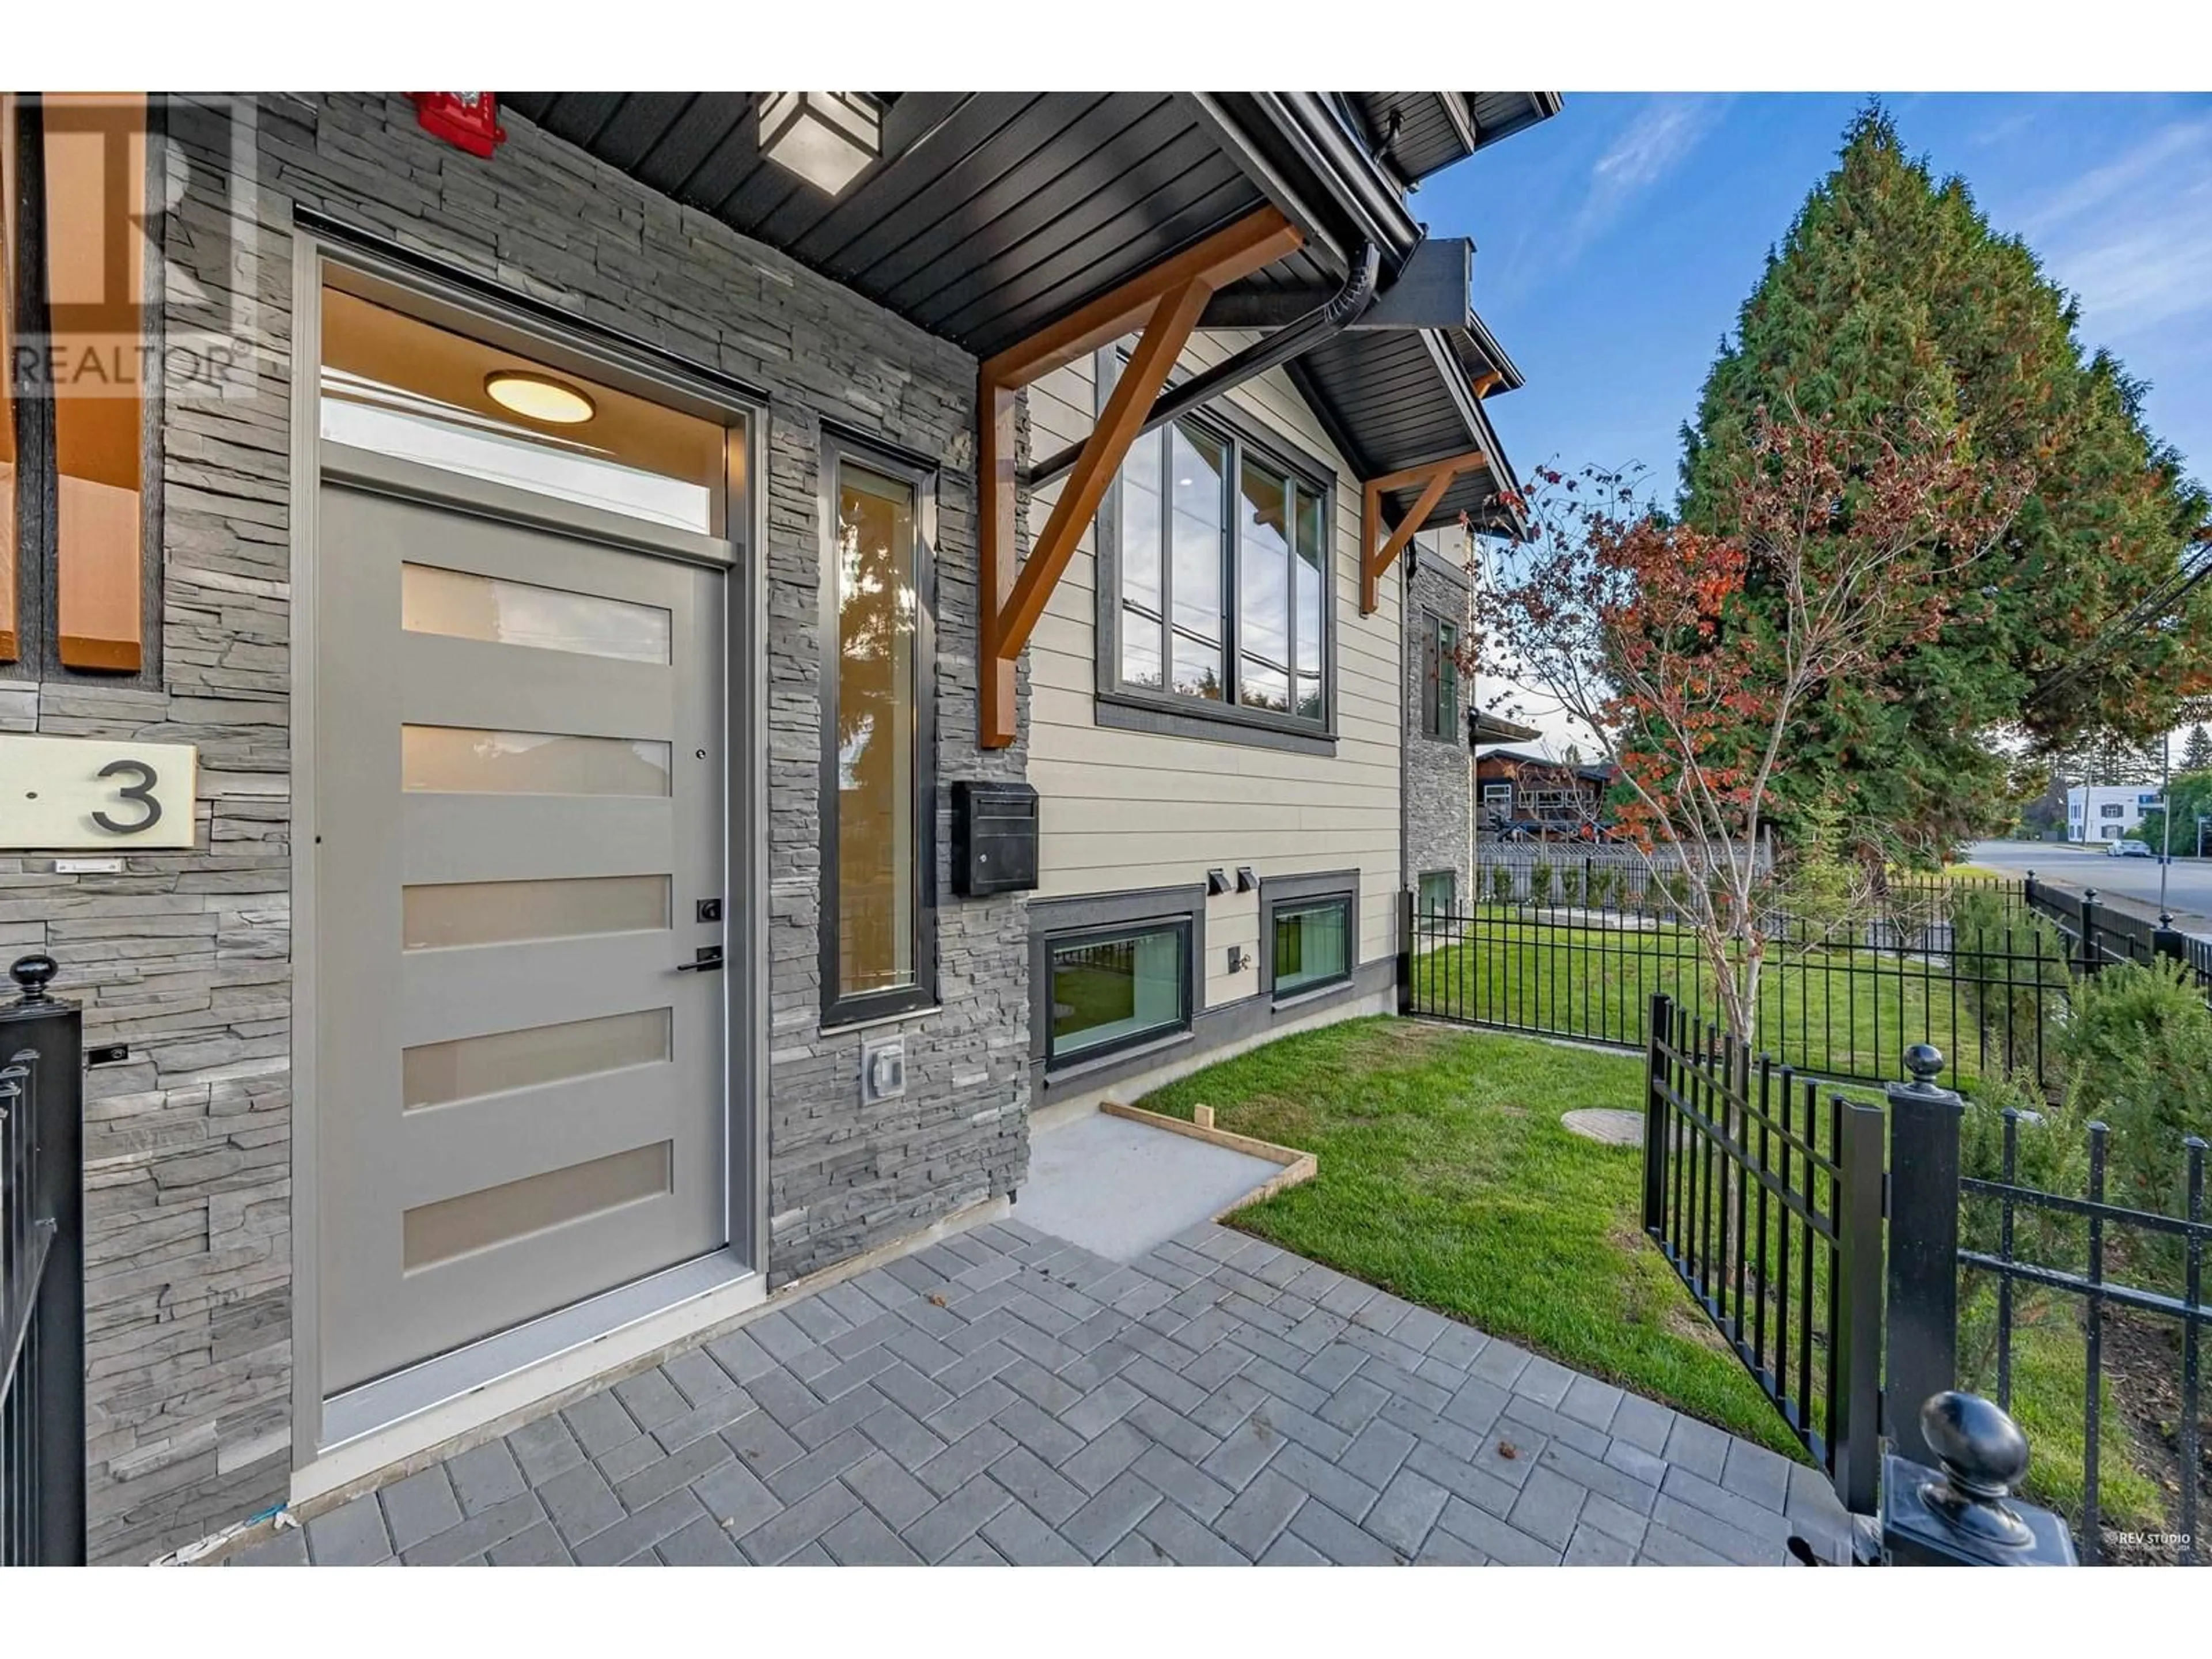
1165, 306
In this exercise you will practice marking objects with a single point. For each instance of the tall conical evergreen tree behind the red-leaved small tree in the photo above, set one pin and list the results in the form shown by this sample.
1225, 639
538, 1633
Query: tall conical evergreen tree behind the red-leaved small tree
1895, 300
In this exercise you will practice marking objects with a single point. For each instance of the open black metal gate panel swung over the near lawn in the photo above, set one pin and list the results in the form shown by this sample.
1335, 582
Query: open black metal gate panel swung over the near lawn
1766, 1198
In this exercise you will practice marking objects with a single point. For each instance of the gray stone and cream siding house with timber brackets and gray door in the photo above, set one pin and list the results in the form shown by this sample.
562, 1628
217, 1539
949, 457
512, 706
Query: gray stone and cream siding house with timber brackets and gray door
623, 612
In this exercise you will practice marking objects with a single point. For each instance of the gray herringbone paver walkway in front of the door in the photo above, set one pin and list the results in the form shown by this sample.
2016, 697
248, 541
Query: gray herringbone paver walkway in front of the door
1005, 1397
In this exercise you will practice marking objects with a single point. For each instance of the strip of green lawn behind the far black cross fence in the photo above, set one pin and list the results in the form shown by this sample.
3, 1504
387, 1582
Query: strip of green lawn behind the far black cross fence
1826, 1012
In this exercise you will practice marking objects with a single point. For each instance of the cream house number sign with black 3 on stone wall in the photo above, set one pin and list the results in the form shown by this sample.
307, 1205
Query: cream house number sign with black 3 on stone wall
87, 793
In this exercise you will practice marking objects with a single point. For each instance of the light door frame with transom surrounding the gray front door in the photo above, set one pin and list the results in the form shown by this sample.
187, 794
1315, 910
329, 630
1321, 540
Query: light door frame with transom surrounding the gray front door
492, 1370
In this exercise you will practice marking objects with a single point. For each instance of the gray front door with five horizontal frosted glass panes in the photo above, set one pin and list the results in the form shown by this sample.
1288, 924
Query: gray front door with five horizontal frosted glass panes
519, 820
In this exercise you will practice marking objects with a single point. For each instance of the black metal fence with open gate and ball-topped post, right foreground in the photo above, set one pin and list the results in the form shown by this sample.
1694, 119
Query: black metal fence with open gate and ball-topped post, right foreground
1861, 1258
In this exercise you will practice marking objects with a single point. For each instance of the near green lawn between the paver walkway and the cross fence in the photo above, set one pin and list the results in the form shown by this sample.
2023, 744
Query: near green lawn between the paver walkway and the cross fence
1448, 1178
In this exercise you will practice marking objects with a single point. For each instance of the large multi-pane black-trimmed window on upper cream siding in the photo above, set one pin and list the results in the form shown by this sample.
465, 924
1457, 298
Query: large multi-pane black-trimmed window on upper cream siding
1218, 594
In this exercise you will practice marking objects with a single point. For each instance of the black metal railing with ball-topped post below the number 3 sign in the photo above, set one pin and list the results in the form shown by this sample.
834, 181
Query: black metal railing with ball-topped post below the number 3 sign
41, 1275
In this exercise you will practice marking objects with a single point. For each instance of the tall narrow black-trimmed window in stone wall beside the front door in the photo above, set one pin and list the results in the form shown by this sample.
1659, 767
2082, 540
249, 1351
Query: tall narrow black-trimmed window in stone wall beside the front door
879, 733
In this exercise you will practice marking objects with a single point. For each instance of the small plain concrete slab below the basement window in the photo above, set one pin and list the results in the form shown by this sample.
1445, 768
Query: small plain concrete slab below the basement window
1127, 1189
